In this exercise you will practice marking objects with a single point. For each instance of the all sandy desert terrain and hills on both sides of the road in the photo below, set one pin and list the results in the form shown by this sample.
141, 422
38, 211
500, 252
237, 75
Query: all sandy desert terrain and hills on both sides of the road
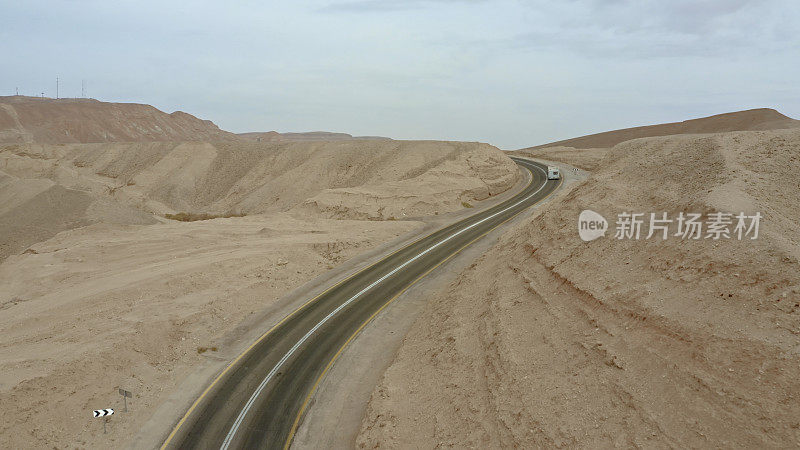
542, 341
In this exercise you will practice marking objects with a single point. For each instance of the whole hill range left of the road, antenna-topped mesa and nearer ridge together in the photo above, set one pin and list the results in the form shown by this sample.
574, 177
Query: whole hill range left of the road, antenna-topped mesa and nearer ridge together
68, 163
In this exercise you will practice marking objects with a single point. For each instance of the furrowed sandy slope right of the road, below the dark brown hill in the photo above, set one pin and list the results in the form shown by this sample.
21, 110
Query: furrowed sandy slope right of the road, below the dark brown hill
550, 341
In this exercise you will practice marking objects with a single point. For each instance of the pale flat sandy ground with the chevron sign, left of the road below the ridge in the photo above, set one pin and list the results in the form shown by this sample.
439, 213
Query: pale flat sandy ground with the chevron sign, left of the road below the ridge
106, 306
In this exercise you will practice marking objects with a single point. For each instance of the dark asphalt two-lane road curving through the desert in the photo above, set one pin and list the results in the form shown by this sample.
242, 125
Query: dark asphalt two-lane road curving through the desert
259, 400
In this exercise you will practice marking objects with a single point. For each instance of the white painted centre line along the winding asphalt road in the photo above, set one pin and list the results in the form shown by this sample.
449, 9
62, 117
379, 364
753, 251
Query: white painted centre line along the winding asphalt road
268, 378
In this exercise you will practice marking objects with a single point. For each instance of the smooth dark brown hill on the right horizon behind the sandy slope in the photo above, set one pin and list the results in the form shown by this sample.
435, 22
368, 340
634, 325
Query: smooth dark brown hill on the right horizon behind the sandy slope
750, 120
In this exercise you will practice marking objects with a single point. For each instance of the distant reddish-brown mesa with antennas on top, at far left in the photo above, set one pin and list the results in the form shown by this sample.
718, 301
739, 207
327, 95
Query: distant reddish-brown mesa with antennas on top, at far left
74, 120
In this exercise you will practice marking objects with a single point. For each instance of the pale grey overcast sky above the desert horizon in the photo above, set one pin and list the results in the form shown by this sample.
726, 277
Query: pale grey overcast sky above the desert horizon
511, 73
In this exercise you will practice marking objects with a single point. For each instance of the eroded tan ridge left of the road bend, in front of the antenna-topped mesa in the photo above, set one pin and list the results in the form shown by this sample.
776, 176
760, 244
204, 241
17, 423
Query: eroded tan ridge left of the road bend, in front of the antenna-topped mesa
51, 188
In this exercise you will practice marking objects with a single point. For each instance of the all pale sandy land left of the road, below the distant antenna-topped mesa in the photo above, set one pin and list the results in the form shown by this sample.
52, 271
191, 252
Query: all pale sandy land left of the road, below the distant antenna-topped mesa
98, 291
